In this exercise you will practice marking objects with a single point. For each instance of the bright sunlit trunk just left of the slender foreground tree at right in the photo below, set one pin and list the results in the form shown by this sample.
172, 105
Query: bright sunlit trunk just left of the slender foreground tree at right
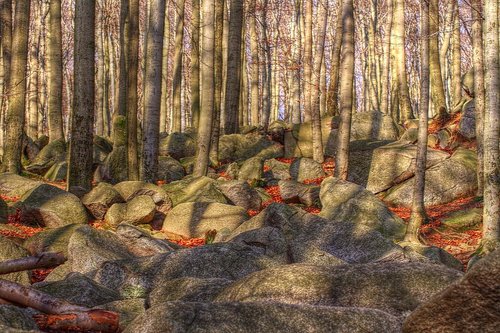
400, 61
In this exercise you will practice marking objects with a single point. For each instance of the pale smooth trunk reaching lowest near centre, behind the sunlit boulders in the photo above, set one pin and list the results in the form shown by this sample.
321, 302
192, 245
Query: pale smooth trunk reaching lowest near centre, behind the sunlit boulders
207, 61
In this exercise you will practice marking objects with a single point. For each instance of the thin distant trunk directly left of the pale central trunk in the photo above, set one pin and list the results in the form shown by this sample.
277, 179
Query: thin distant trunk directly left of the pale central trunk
195, 63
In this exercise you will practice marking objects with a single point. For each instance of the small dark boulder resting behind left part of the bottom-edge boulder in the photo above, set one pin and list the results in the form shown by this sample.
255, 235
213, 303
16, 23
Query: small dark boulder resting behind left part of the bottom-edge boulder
187, 289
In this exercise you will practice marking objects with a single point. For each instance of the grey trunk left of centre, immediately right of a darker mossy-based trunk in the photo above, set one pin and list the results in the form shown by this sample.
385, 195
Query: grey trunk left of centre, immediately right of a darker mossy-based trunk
152, 91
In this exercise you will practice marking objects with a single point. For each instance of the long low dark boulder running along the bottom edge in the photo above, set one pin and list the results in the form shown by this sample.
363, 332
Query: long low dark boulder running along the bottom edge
178, 317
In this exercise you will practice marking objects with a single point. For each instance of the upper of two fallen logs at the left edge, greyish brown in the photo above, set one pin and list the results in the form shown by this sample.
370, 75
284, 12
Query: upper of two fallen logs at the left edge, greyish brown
43, 260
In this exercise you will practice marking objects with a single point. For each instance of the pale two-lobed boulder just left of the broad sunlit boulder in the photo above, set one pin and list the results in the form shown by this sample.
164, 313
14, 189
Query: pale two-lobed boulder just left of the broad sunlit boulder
139, 210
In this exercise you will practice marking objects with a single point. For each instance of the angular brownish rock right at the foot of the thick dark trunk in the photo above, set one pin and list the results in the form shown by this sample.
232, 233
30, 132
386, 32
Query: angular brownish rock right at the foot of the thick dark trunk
100, 199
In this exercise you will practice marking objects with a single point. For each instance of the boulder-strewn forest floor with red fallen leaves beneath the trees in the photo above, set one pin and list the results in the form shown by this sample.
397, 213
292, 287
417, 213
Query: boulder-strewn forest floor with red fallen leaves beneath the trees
268, 242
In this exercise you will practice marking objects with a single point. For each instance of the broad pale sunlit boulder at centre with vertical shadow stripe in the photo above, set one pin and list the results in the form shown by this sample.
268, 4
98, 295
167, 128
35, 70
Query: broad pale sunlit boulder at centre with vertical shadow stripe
193, 220
